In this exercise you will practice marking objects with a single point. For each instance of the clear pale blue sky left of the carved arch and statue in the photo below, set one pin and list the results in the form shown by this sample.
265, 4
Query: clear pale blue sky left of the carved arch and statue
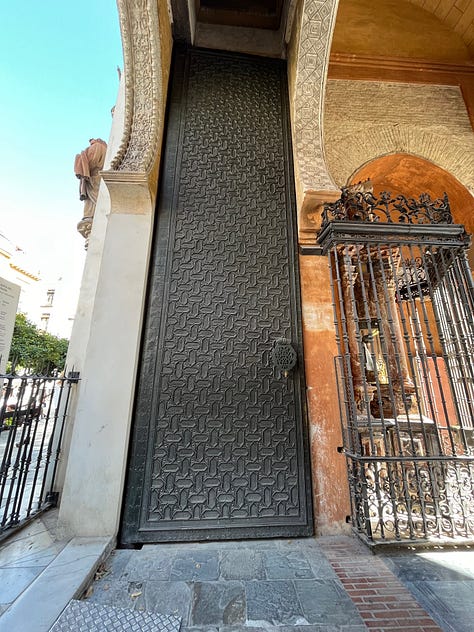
59, 82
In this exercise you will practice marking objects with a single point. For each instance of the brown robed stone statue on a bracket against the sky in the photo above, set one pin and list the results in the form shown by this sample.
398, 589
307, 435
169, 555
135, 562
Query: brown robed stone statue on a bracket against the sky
87, 166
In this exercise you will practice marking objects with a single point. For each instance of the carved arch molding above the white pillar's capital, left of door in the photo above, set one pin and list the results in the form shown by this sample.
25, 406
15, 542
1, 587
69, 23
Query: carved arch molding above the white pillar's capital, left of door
143, 120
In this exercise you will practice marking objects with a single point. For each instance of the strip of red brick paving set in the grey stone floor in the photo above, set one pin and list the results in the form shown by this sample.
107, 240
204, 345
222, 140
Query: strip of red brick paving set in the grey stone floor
381, 599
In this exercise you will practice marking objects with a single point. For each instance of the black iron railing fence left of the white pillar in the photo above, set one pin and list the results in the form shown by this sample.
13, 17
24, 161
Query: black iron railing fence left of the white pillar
33, 414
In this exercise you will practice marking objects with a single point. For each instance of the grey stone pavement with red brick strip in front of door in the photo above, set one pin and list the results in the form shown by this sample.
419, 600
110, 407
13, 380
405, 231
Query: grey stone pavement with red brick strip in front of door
281, 585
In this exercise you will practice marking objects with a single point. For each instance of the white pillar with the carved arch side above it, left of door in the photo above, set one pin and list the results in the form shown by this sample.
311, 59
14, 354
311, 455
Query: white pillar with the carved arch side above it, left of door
91, 498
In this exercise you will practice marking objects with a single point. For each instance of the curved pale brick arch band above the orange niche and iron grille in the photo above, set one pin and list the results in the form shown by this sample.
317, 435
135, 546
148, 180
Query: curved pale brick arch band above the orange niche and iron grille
348, 153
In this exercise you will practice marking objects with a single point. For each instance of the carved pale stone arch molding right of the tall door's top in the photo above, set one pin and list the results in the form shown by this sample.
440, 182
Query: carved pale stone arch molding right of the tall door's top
316, 28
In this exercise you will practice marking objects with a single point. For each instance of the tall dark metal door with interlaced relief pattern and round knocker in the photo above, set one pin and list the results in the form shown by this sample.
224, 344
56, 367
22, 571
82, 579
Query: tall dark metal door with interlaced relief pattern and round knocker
219, 447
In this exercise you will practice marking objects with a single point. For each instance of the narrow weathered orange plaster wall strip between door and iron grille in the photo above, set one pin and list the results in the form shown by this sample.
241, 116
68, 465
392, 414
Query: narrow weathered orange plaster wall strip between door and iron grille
330, 486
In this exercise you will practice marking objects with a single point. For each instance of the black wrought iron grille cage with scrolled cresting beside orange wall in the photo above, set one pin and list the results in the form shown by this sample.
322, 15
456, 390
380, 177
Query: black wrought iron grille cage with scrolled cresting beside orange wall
403, 303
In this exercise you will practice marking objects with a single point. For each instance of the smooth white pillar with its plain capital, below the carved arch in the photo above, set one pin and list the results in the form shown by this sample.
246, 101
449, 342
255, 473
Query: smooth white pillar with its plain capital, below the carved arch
91, 498
